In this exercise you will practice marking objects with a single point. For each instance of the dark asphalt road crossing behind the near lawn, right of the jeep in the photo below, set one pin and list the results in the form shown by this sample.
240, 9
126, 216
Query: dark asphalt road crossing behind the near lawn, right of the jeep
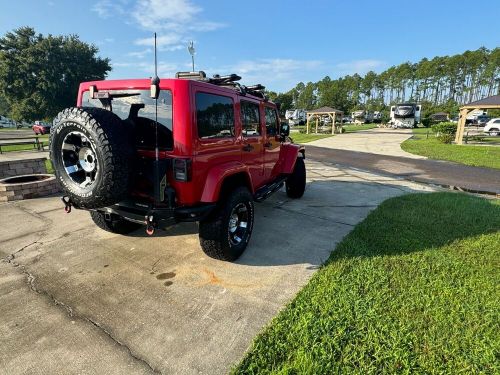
473, 179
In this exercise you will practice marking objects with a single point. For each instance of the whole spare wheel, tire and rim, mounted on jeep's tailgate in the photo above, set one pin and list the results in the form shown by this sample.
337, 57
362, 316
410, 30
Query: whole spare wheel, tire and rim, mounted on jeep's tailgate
91, 152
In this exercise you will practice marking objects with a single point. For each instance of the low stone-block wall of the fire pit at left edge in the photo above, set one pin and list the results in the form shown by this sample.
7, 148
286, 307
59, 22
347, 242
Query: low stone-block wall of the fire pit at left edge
27, 186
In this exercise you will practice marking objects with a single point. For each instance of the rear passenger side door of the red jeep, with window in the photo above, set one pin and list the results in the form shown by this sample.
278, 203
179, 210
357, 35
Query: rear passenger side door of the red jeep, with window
252, 140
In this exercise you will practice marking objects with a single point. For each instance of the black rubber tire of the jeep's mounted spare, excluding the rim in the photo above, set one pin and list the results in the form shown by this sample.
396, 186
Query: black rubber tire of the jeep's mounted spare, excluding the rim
112, 140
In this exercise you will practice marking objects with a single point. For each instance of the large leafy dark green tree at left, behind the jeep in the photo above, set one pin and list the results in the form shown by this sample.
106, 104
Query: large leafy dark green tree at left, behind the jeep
39, 75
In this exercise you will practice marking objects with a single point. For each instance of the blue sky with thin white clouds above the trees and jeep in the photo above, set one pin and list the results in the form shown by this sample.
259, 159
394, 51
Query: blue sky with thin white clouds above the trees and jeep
276, 43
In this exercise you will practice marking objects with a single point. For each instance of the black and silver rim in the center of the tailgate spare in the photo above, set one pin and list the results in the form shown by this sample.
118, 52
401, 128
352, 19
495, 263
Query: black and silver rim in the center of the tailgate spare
79, 159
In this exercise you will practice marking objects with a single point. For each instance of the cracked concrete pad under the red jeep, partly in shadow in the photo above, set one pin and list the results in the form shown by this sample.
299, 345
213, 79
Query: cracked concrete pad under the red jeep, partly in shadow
77, 300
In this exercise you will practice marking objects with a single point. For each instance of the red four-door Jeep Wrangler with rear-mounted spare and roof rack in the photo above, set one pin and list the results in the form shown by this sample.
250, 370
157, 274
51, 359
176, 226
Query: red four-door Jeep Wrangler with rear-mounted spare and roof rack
141, 152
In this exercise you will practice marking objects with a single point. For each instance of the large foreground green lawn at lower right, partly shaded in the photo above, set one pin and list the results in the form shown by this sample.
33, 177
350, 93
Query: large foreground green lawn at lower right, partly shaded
412, 289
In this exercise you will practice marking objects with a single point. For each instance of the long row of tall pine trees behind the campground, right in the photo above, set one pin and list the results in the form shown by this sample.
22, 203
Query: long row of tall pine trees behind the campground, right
442, 83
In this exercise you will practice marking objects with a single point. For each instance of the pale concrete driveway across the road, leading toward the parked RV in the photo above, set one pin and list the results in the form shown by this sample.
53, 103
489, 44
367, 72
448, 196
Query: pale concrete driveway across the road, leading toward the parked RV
375, 141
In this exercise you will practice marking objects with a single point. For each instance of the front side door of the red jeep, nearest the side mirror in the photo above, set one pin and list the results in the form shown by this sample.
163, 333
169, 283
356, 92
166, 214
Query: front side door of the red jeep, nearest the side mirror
271, 142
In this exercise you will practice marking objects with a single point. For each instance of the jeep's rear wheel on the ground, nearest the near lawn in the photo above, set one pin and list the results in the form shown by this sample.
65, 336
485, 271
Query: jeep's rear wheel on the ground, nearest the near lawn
226, 233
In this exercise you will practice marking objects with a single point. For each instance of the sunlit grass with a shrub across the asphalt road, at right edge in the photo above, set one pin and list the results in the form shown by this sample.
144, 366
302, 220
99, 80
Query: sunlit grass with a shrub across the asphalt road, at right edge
478, 156
